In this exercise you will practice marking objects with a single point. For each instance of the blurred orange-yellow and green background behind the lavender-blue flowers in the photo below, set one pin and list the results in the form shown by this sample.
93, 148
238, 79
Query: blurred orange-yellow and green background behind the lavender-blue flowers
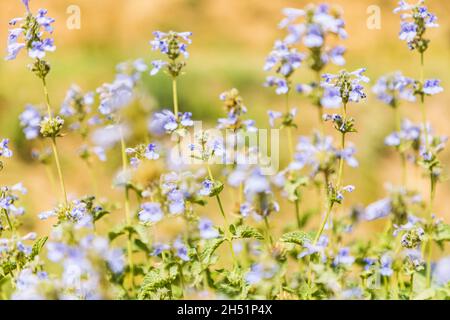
230, 42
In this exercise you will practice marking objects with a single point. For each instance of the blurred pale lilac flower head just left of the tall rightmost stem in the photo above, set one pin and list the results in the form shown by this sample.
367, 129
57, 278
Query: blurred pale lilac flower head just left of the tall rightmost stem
391, 88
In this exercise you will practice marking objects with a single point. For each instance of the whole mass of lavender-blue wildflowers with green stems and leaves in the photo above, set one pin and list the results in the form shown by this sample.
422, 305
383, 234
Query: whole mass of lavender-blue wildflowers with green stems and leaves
190, 229
